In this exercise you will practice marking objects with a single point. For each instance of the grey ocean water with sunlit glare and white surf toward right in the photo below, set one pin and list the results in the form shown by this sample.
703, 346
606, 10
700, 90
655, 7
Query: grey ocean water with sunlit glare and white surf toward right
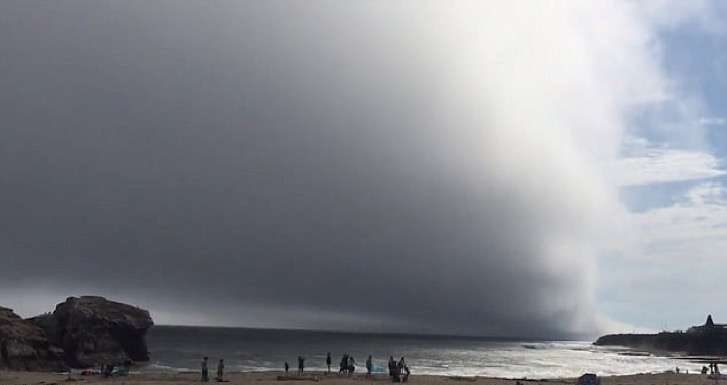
180, 348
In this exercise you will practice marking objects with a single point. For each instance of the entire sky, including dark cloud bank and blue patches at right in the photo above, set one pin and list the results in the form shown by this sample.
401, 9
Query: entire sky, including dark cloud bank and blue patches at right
503, 168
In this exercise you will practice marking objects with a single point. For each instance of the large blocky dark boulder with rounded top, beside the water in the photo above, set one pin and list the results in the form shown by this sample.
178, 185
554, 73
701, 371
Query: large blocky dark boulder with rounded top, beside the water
93, 331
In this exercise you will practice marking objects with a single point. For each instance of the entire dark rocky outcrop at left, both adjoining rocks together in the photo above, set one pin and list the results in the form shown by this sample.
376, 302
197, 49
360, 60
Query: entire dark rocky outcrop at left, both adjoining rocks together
81, 332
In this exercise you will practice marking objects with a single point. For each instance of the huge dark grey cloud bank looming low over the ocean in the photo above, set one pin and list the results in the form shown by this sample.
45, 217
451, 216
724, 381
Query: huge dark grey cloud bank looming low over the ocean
270, 155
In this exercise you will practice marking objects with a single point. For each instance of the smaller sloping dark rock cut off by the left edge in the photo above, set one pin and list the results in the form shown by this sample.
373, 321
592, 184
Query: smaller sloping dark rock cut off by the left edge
24, 346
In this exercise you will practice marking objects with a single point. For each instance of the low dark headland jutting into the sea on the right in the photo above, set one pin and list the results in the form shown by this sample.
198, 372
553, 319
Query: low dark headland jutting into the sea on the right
708, 339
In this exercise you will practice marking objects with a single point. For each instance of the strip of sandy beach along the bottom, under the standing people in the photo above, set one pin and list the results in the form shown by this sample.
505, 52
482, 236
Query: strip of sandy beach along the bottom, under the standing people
271, 378
